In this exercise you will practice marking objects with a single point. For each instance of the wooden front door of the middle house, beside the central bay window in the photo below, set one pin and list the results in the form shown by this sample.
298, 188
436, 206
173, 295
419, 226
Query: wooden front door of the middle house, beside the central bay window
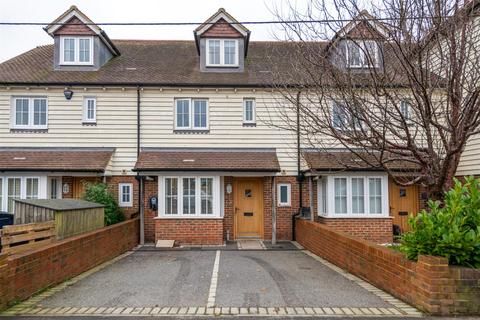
248, 201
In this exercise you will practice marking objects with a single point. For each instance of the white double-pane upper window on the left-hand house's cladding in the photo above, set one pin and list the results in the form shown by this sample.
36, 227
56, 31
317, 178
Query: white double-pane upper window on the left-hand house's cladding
29, 113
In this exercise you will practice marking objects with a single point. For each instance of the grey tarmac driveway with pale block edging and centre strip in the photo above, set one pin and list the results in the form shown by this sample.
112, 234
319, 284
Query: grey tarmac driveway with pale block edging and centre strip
282, 283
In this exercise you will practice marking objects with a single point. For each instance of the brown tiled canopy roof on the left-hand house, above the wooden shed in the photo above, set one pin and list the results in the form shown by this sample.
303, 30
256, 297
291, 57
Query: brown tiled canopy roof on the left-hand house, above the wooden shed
55, 159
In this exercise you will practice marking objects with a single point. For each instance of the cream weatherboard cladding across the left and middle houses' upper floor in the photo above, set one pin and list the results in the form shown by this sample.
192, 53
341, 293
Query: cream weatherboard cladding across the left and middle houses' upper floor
116, 122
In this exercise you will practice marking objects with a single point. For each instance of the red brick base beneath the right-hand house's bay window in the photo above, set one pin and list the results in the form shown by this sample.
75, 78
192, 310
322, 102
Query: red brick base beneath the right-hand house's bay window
371, 229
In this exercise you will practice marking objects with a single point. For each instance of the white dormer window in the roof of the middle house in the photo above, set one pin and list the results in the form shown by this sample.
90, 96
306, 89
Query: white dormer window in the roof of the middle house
222, 52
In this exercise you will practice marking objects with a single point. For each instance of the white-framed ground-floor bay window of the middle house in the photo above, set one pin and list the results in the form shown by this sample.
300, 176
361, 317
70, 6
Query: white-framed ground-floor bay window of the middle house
189, 196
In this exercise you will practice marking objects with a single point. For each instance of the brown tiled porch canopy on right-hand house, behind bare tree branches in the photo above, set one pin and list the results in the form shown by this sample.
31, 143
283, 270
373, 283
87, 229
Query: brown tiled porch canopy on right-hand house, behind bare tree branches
327, 160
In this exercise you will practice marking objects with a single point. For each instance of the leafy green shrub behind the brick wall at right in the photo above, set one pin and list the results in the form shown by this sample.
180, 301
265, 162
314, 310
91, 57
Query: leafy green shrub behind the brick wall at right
451, 230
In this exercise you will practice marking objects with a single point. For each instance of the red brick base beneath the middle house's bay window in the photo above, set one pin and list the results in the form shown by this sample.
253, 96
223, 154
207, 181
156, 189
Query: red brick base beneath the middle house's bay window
190, 231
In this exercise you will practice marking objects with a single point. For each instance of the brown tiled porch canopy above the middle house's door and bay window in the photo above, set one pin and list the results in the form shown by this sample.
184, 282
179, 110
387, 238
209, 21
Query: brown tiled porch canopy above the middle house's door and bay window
208, 159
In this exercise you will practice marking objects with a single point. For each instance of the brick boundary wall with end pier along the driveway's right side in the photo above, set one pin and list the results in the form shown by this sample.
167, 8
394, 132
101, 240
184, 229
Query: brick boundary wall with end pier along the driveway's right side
429, 284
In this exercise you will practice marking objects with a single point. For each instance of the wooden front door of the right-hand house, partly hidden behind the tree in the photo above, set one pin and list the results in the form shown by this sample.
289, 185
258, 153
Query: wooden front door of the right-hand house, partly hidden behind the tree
404, 201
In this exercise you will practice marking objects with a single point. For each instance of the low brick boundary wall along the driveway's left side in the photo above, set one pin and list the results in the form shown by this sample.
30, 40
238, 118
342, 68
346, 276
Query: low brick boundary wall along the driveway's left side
28, 273
